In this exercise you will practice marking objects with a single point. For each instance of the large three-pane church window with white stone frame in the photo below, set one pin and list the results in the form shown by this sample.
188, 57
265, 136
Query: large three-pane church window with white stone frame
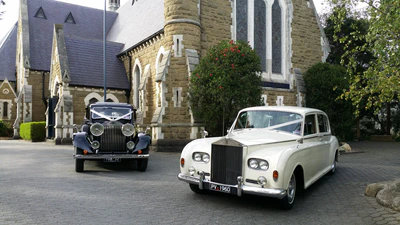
262, 24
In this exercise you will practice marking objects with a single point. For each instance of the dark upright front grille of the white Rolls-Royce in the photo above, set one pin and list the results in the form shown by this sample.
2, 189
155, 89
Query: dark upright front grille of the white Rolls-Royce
226, 163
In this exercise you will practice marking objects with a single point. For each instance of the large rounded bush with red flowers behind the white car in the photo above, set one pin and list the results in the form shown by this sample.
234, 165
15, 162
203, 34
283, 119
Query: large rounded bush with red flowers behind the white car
226, 80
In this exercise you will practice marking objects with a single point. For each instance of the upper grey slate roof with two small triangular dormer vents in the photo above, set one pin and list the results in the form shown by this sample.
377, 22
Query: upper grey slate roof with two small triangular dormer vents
88, 24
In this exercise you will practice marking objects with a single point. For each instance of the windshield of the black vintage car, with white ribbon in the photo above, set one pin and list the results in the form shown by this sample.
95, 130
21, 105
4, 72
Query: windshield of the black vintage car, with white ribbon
115, 113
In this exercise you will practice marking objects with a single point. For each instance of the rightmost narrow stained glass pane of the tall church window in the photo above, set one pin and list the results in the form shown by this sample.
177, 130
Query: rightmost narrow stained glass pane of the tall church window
276, 38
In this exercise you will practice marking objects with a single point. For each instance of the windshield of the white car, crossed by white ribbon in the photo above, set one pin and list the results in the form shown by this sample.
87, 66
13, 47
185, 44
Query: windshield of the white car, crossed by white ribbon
274, 120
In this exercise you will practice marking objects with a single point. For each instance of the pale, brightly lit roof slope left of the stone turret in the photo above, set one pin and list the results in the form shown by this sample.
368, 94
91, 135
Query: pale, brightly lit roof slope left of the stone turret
136, 22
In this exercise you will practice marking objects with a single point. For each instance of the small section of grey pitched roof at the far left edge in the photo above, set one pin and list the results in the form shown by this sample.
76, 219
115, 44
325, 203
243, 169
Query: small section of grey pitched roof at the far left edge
8, 55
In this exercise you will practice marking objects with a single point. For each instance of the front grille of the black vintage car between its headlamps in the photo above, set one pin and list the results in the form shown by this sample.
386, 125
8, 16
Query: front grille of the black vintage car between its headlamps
112, 140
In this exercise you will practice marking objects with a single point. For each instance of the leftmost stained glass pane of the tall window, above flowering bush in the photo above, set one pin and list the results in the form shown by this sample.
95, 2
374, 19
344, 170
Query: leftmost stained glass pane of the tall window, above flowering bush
241, 20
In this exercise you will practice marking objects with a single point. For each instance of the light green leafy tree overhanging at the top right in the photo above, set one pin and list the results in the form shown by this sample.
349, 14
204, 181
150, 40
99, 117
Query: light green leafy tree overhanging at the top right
380, 82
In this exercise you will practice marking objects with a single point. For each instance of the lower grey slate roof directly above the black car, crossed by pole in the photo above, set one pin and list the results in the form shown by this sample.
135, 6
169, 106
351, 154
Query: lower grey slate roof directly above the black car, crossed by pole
85, 60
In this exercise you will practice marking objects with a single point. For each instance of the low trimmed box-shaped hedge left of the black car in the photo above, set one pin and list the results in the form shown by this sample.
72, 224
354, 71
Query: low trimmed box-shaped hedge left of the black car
33, 131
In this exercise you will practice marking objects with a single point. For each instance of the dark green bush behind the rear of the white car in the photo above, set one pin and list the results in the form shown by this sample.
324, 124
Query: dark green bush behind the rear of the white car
324, 83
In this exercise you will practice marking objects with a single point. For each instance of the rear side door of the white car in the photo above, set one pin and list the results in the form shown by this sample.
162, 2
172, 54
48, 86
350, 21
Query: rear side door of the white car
324, 134
